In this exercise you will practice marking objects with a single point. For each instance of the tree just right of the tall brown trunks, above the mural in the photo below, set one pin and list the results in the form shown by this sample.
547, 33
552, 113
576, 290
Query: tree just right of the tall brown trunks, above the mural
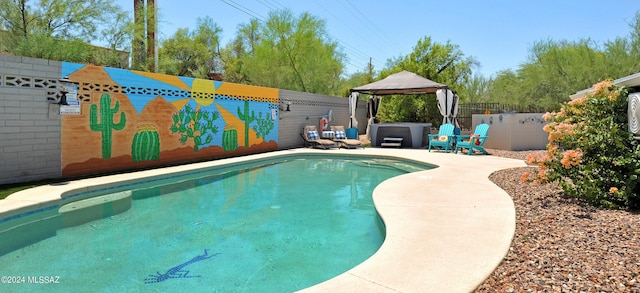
192, 53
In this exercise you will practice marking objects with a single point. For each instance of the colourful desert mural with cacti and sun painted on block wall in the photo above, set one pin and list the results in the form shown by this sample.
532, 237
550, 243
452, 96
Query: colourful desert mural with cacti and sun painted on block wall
131, 120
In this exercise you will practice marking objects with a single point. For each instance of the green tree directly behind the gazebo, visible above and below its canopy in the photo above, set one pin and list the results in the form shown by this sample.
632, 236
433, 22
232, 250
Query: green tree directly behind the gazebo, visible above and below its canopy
442, 63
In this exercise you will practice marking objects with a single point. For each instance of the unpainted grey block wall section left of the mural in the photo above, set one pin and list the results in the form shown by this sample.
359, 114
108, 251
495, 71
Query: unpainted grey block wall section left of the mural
29, 124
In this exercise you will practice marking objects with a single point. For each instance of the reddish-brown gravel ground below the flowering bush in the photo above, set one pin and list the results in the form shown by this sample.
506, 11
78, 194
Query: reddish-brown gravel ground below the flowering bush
562, 244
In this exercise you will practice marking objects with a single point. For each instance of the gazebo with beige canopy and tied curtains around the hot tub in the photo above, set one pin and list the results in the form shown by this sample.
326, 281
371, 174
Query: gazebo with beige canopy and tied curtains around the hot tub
405, 82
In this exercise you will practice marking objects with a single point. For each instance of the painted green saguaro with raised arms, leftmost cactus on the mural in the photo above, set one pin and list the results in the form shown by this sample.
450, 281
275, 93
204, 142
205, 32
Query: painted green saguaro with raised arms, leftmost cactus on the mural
106, 125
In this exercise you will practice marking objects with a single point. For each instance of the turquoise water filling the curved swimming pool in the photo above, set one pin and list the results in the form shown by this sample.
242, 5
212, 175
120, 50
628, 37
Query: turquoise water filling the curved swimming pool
278, 226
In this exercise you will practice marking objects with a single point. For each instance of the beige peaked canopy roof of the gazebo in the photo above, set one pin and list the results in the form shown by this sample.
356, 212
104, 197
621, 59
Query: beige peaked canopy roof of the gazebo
404, 82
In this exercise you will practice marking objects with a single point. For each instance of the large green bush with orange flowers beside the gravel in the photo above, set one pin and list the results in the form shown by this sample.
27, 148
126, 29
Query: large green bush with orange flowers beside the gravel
591, 153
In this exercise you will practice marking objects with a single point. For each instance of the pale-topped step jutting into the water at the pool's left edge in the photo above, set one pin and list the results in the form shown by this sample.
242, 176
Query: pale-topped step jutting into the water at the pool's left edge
95, 208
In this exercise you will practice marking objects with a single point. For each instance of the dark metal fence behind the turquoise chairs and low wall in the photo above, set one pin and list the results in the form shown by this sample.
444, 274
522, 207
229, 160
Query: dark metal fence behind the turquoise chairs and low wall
466, 110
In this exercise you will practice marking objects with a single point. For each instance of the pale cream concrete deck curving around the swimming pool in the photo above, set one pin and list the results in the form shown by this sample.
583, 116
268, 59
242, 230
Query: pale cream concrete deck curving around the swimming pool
447, 228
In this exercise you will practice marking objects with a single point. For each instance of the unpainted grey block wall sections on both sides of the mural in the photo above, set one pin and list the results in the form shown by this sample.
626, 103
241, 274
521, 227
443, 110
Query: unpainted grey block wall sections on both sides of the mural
30, 123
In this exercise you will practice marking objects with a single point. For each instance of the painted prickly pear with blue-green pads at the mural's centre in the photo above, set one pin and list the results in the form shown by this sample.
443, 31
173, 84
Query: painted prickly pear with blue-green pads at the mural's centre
195, 124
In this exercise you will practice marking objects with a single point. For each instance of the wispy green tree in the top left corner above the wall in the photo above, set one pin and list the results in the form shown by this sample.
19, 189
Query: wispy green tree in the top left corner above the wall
54, 29
